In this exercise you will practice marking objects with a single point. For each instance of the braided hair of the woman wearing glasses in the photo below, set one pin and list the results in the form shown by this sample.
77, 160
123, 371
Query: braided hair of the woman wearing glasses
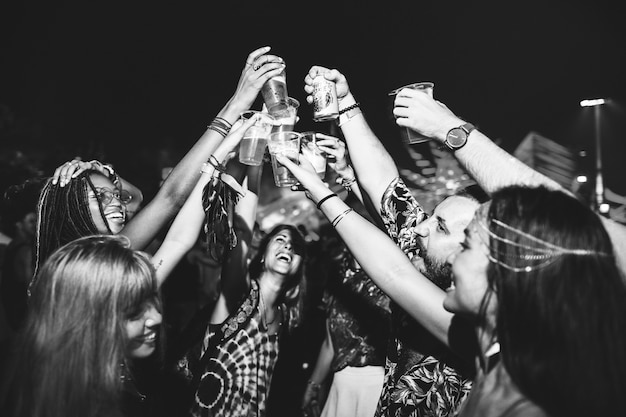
63, 215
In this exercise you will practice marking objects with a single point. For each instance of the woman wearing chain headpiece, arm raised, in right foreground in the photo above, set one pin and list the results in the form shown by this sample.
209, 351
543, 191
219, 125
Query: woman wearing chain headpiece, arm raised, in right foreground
538, 278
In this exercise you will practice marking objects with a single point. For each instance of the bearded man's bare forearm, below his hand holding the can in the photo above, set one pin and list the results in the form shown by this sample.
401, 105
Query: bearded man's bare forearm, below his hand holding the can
374, 166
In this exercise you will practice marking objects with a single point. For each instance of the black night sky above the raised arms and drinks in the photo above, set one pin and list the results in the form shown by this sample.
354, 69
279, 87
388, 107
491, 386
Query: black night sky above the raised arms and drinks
126, 80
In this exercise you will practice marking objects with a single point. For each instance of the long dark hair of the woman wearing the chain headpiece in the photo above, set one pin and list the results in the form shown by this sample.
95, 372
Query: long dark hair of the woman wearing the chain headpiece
562, 324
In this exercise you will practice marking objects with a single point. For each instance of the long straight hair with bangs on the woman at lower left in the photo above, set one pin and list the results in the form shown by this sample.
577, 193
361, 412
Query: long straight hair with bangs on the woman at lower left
69, 357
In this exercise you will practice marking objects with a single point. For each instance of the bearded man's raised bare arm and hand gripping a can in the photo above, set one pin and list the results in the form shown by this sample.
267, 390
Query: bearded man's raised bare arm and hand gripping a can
374, 166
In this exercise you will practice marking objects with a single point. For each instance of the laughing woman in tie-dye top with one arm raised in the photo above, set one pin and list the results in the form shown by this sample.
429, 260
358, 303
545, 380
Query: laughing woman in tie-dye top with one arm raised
261, 296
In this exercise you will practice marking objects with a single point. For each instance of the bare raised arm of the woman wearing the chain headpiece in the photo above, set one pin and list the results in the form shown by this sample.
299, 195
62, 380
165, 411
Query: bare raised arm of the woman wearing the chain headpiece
379, 257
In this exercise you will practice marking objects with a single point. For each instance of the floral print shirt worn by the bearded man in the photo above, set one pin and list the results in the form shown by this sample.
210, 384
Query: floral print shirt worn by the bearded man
422, 376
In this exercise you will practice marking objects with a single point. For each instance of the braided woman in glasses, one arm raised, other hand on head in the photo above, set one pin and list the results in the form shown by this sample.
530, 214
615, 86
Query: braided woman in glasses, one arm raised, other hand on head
86, 198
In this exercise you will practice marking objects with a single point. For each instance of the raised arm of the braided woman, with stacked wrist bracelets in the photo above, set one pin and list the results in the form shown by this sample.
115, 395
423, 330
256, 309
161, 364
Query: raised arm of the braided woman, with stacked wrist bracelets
142, 229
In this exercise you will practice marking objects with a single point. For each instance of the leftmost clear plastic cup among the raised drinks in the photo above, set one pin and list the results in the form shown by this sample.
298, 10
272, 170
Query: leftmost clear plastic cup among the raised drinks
254, 141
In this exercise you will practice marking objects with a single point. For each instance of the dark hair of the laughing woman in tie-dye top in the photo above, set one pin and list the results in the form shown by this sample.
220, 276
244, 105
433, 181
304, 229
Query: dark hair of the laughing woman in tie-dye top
295, 286
